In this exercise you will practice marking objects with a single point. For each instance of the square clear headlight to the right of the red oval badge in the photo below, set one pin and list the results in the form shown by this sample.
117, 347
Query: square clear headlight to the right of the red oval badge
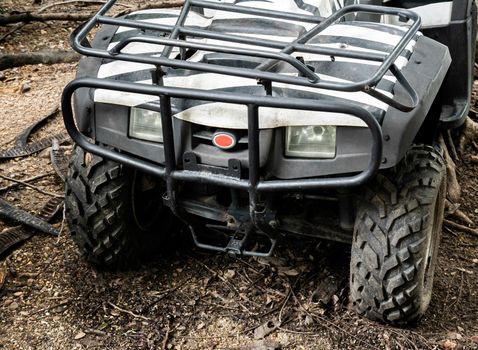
310, 141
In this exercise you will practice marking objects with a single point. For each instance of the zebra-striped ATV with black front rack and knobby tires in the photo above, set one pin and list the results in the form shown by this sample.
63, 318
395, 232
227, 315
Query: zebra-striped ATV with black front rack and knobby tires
254, 120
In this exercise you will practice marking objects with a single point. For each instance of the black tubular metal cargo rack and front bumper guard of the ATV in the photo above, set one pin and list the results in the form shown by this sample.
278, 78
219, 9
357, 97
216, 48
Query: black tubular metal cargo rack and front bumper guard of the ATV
178, 35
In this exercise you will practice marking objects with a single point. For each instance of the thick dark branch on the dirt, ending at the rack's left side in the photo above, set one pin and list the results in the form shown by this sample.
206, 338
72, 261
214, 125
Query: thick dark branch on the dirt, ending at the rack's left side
48, 57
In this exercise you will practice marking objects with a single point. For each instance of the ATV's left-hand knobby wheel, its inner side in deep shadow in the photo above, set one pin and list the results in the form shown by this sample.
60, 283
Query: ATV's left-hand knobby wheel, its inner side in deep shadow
115, 214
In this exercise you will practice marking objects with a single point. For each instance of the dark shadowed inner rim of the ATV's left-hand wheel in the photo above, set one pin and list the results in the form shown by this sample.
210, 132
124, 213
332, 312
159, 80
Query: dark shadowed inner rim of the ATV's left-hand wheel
146, 202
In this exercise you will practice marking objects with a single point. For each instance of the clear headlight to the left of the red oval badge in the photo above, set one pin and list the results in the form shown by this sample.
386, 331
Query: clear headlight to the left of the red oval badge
145, 125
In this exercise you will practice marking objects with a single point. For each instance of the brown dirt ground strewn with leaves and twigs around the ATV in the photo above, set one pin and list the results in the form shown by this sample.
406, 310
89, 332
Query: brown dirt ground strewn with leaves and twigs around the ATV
188, 298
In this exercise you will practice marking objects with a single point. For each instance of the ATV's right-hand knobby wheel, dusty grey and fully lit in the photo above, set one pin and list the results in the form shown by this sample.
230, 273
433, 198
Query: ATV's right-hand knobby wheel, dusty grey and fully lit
396, 237
